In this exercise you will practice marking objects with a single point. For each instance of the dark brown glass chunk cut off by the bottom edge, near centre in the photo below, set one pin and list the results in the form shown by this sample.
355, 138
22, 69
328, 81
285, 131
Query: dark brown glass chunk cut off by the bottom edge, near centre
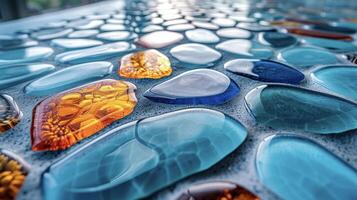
218, 191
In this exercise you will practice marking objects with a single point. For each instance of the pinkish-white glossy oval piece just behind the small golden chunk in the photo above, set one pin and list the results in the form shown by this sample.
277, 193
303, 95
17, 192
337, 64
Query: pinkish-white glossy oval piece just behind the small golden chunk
159, 39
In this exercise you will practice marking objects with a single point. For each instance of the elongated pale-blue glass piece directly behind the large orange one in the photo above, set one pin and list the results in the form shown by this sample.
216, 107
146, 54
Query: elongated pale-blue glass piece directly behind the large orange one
67, 78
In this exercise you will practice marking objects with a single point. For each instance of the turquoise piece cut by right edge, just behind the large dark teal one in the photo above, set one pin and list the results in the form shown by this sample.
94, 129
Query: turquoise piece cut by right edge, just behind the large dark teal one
341, 79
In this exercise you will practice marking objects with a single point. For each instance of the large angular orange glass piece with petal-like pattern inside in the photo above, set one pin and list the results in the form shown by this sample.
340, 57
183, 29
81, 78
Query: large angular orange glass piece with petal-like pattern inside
68, 117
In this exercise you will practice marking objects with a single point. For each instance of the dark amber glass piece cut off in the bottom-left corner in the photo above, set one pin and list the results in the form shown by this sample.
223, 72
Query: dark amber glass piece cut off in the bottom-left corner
13, 172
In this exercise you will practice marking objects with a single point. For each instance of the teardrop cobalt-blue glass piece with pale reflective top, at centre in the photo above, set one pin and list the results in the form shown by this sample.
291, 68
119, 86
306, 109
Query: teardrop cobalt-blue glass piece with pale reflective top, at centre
200, 86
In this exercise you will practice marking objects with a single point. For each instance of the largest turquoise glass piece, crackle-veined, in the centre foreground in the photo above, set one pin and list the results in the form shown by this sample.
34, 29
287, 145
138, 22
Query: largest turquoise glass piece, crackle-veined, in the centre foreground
137, 159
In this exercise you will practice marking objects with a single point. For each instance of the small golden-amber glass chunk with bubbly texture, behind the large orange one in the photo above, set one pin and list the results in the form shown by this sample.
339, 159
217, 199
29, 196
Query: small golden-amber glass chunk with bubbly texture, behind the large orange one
145, 64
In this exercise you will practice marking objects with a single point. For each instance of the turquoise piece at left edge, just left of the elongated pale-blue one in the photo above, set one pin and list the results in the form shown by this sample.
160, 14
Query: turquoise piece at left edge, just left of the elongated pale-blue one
15, 74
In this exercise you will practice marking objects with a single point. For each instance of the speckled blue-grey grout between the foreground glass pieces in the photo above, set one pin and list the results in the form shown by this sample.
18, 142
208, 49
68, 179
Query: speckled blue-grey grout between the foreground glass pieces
238, 167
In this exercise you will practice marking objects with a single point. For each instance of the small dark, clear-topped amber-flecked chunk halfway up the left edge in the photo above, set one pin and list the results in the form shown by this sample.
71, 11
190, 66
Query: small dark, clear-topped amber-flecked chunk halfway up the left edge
10, 113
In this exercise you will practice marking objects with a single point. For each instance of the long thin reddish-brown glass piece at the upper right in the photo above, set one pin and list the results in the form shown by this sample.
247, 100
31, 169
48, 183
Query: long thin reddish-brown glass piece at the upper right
319, 34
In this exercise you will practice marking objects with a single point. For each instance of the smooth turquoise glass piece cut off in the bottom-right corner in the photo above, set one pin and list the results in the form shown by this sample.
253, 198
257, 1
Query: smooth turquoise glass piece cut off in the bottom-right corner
297, 168
